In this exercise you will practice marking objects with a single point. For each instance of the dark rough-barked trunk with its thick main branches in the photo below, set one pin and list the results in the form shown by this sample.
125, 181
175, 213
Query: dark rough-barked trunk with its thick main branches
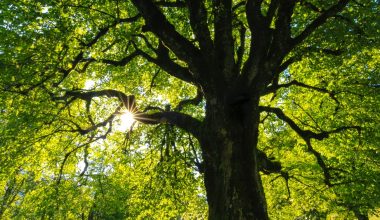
229, 133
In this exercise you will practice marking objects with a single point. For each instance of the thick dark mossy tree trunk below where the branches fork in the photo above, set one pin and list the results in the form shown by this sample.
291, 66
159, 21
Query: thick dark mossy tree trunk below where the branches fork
232, 180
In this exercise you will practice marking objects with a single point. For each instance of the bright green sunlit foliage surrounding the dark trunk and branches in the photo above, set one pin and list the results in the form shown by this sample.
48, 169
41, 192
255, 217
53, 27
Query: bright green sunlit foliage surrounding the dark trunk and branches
49, 170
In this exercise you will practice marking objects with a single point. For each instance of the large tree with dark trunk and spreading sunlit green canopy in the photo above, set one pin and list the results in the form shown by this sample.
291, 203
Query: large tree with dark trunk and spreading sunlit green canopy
260, 91
